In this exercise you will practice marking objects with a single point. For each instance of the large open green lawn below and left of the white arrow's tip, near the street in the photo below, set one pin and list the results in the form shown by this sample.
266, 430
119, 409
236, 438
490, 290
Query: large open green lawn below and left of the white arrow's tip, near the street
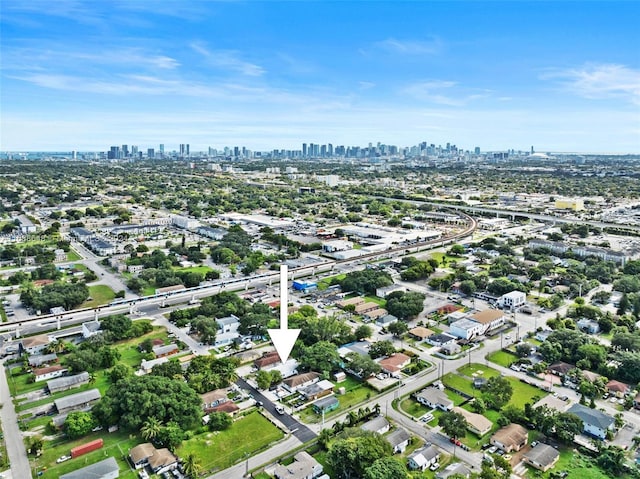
219, 450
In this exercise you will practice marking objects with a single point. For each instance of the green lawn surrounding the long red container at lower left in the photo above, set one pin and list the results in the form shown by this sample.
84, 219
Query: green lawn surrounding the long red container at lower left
116, 444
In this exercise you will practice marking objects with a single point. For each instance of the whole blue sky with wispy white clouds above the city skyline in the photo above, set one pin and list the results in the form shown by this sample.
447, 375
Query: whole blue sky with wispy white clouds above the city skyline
89, 74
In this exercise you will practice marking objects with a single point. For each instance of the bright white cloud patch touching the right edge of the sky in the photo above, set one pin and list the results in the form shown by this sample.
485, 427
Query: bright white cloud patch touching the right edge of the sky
600, 81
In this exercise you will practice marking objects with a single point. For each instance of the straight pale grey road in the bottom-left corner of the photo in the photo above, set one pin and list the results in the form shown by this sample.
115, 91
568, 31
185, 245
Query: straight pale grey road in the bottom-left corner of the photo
12, 436
